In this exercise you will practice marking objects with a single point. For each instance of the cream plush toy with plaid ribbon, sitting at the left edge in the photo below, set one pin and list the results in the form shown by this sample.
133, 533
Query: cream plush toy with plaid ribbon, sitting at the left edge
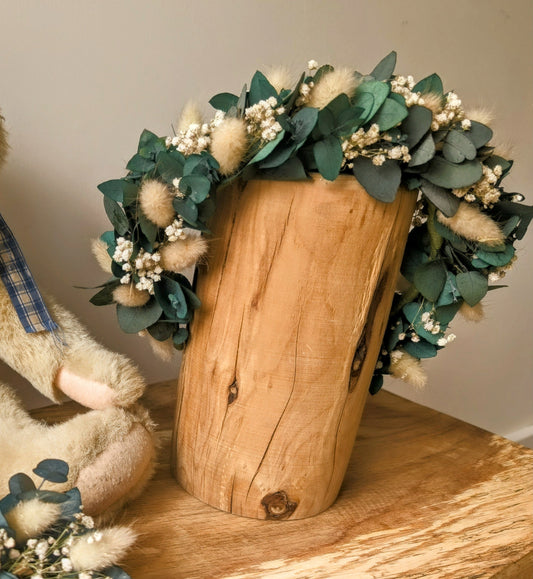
110, 449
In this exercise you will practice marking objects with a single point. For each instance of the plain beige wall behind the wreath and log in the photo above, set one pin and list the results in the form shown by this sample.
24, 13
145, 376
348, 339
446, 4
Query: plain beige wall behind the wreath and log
80, 80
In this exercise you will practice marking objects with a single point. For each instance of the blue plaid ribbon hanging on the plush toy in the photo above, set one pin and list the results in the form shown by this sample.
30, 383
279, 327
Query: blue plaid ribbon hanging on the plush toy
21, 286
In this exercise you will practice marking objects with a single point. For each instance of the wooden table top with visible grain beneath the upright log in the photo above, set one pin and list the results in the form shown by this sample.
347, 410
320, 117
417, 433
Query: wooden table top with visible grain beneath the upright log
425, 496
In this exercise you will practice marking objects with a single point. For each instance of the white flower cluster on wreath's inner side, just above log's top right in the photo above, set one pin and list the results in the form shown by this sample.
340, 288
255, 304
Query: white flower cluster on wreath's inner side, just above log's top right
361, 144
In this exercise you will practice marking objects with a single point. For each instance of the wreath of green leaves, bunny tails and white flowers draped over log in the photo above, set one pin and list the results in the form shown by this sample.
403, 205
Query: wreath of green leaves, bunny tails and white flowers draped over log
386, 130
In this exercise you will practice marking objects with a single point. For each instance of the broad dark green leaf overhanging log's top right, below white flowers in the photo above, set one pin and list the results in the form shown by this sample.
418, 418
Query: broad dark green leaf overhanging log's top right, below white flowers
379, 182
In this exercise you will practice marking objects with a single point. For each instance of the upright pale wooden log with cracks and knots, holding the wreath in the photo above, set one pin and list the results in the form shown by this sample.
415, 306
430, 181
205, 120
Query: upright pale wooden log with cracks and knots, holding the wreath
295, 300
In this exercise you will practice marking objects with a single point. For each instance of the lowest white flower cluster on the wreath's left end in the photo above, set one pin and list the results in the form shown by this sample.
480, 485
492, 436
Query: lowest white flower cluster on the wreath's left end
145, 265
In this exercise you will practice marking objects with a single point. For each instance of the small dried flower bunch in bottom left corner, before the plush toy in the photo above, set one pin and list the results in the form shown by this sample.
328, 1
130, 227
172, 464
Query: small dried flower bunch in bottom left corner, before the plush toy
34, 544
